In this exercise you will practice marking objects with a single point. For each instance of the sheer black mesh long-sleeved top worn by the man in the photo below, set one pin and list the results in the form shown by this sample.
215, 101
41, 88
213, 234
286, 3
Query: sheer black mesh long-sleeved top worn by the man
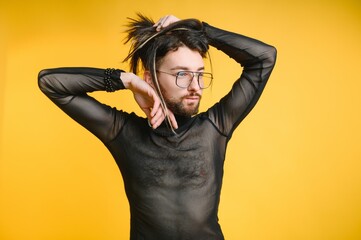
172, 182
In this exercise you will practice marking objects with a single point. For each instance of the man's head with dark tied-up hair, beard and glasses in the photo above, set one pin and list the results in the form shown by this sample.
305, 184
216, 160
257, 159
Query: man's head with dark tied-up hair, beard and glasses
172, 60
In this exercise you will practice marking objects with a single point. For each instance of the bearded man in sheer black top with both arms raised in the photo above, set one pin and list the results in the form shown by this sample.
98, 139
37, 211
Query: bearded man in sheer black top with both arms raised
171, 161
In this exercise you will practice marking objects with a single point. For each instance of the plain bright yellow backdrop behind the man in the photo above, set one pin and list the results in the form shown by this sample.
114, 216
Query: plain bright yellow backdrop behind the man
293, 166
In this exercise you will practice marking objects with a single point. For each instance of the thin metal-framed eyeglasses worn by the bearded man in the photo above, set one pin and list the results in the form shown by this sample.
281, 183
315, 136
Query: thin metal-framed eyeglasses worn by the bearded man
183, 79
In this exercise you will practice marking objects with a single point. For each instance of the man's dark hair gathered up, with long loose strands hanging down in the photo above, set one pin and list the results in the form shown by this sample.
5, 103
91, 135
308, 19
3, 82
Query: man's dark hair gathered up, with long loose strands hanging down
149, 46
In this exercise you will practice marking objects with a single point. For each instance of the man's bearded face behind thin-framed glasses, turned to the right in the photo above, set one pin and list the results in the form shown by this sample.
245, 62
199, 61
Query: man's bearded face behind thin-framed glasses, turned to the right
181, 101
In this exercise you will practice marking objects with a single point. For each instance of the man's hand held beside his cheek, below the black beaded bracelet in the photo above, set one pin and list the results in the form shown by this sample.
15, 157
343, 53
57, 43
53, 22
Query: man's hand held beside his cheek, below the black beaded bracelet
147, 100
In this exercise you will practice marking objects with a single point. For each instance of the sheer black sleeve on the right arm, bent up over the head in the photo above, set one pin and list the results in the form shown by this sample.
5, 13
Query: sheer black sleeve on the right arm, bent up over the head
258, 60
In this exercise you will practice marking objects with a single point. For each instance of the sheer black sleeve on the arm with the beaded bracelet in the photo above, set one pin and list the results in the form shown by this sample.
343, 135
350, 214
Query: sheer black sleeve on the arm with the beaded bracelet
68, 88
